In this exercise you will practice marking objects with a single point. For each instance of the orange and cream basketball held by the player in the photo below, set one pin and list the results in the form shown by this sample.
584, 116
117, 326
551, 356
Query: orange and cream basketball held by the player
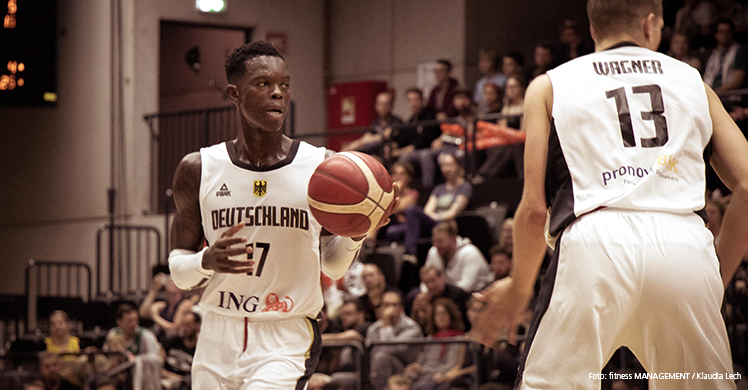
350, 193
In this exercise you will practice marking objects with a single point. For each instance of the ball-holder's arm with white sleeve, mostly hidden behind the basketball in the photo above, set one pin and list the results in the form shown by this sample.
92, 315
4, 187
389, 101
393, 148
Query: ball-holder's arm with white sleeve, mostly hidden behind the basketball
338, 252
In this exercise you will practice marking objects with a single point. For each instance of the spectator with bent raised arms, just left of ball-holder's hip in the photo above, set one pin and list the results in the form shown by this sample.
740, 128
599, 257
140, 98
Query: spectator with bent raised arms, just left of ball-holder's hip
166, 313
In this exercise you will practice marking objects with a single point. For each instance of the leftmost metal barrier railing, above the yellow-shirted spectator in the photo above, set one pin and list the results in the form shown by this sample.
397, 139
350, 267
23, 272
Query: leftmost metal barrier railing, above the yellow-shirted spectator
62, 283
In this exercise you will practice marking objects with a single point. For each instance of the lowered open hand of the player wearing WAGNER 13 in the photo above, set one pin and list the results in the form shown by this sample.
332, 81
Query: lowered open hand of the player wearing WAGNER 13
499, 316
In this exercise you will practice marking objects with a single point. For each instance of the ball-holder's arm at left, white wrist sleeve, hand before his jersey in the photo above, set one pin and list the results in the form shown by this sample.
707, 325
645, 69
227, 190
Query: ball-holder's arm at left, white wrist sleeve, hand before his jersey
190, 266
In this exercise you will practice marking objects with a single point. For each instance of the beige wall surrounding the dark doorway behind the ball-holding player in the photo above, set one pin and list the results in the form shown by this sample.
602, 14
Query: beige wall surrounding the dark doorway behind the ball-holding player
55, 162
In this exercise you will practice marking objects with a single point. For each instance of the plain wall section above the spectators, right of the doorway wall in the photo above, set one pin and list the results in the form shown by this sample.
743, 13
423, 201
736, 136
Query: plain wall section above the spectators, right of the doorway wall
386, 40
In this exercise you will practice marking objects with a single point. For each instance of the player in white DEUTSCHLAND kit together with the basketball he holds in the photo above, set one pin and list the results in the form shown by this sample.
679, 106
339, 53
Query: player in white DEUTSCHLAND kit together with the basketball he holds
247, 198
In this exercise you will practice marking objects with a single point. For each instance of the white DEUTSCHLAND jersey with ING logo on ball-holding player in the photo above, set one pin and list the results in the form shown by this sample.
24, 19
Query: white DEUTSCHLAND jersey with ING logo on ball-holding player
272, 201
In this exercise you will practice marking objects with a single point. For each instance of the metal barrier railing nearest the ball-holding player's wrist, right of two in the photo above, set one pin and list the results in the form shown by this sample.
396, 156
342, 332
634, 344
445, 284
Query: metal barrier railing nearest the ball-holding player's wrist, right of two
131, 253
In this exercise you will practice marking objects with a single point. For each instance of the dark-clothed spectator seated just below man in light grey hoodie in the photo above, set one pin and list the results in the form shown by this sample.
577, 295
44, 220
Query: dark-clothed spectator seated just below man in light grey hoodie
419, 301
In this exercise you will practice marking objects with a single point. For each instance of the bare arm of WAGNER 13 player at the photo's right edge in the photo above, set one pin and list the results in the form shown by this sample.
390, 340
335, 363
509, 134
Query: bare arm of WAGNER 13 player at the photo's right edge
730, 161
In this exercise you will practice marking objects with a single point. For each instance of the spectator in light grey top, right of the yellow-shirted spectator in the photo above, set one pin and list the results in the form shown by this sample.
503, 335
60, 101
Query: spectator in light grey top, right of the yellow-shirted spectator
140, 344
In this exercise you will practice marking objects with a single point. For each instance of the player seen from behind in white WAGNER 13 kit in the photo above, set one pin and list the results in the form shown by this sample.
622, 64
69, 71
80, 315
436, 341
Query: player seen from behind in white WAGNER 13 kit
615, 148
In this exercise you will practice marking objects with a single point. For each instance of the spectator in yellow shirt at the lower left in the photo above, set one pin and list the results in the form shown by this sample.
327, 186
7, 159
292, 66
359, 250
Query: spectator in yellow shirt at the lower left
73, 368
